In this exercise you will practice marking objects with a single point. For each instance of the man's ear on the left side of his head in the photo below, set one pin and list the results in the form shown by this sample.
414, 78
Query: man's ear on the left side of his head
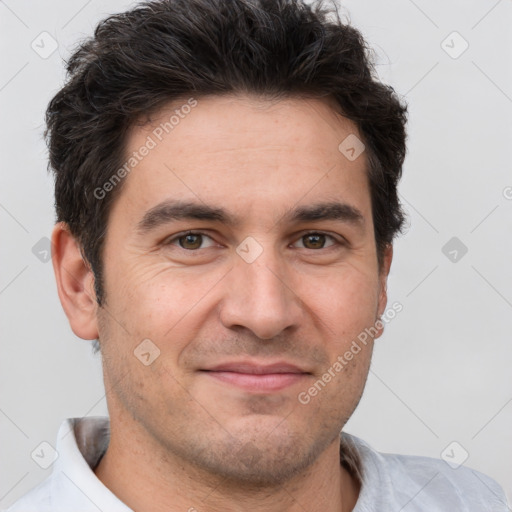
75, 283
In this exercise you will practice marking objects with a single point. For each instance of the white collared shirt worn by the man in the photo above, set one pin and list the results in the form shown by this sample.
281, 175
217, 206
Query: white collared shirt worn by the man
389, 483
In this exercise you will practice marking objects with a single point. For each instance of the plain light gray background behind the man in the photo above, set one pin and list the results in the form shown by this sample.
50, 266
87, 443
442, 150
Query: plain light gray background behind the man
442, 370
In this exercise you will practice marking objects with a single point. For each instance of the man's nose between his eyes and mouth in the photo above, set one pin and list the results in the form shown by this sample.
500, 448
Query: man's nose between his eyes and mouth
260, 296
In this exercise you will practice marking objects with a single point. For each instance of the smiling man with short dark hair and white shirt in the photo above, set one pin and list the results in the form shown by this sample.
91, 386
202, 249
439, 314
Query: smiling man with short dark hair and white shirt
226, 193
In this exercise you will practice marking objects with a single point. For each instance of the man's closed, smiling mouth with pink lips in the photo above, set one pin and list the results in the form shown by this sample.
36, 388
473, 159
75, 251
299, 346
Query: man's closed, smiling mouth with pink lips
257, 377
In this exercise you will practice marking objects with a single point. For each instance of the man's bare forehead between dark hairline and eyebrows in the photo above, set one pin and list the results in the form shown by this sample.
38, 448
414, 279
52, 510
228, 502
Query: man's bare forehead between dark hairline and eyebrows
247, 151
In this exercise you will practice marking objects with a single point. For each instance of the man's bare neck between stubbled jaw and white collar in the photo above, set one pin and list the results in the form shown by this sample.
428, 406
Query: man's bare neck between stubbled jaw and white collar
133, 471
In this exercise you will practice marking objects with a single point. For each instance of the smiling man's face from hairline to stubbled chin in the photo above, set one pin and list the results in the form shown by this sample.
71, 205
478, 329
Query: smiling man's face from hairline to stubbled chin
242, 247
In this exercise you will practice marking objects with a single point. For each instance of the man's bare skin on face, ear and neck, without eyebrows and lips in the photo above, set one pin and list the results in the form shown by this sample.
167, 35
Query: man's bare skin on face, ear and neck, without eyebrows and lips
180, 437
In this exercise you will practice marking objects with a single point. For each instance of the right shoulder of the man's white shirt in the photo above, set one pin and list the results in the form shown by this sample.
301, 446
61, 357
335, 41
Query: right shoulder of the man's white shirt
424, 483
